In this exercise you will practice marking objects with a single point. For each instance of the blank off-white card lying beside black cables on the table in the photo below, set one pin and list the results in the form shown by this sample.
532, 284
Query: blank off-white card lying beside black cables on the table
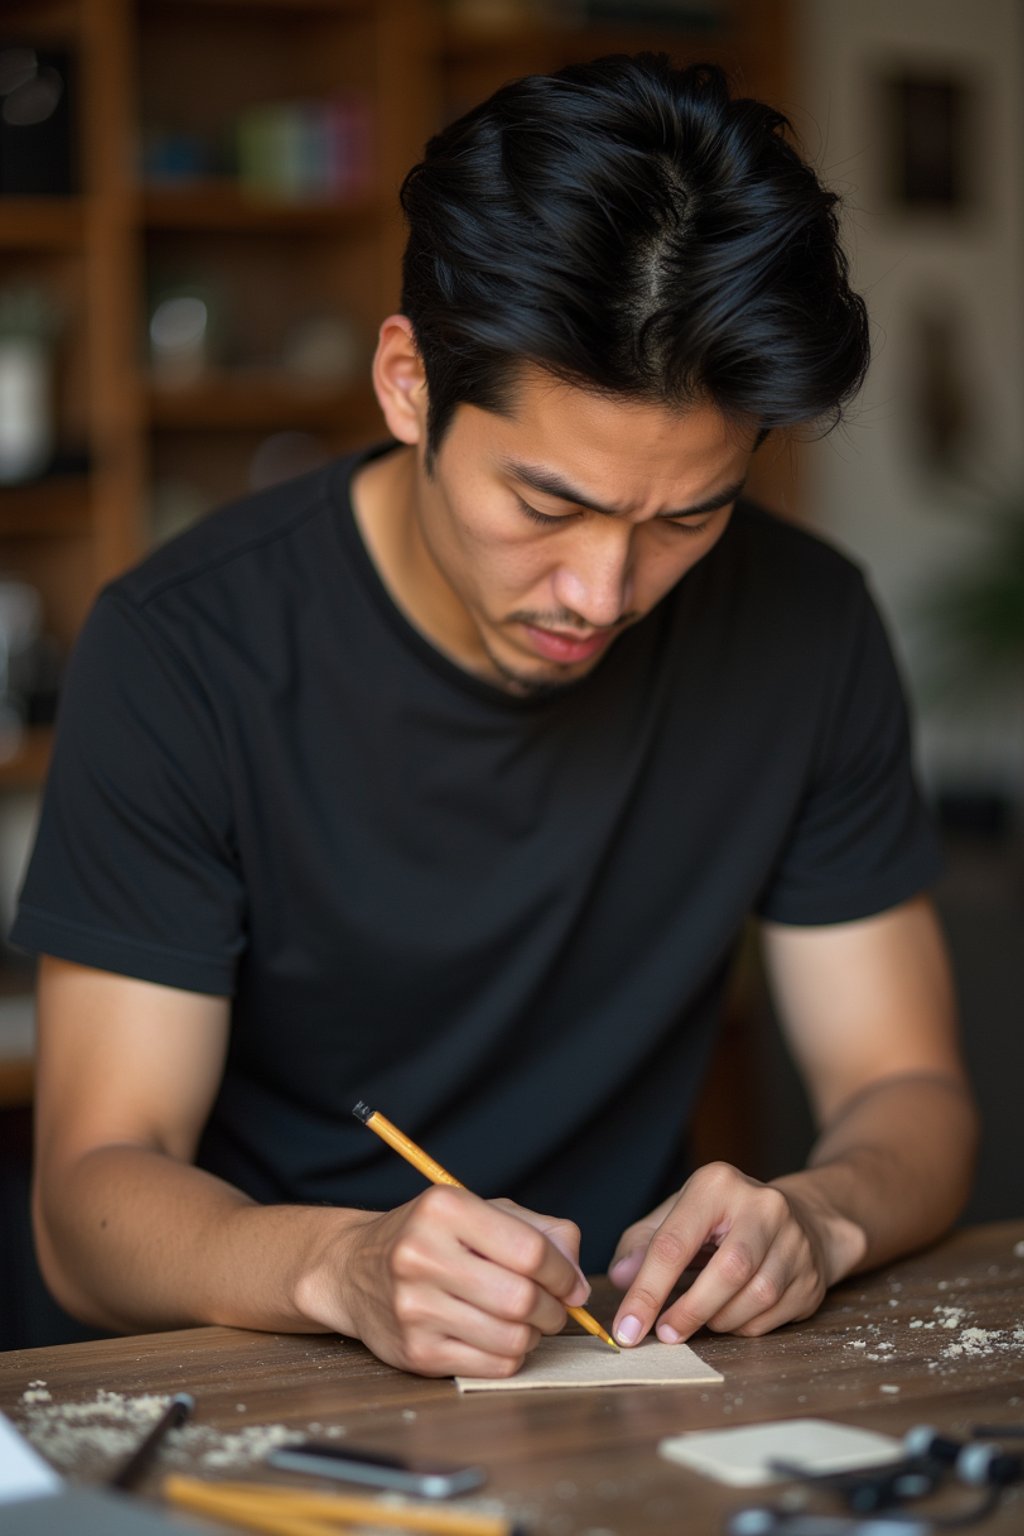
742, 1455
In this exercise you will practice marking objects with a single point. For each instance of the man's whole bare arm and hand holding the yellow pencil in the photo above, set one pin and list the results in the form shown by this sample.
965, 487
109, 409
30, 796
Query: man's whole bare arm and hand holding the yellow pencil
131, 1236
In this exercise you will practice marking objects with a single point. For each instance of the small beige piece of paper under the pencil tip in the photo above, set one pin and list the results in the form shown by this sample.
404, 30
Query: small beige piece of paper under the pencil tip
589, 1363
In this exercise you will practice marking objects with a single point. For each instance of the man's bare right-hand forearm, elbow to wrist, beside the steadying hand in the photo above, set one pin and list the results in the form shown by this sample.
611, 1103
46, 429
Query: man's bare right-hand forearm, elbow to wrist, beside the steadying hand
893, 1170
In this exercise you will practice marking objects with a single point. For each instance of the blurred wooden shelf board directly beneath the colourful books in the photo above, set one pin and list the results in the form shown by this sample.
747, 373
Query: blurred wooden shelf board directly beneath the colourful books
223, 207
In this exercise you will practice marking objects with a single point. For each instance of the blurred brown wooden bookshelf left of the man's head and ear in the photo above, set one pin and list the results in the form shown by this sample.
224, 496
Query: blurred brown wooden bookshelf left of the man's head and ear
105, 253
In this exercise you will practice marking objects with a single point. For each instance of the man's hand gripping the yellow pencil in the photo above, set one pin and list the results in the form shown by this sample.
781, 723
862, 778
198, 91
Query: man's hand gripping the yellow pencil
452, 1285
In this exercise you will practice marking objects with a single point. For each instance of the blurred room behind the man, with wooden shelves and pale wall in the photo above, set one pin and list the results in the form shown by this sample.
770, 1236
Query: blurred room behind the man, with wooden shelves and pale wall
200, 234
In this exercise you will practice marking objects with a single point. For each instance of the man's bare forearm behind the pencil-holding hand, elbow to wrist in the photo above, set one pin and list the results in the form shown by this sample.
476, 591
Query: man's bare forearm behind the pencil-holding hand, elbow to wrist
134, 1240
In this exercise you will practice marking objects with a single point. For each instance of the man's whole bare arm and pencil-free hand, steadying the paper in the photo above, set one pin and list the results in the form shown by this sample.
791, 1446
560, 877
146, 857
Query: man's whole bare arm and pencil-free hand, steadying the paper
870, 1016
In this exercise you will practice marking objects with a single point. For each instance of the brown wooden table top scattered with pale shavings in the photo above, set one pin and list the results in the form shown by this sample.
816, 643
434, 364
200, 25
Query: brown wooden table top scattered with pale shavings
937, 1339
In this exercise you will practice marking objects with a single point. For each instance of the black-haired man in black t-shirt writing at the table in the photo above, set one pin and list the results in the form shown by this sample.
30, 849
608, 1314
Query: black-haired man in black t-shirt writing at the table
446, 780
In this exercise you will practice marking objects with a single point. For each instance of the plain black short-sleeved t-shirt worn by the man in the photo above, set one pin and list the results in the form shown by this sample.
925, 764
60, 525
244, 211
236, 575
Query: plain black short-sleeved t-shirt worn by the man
503, 922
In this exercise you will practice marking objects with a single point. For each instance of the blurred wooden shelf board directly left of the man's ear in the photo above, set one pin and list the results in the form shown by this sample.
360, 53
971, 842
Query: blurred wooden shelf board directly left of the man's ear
256, 400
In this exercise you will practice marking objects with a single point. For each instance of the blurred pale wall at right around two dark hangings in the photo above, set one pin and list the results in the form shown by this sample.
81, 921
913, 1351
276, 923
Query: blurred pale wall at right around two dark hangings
865, 486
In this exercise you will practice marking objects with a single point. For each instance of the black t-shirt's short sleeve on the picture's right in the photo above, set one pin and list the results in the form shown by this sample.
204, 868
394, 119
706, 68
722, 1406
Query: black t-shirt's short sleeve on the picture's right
862, 839
